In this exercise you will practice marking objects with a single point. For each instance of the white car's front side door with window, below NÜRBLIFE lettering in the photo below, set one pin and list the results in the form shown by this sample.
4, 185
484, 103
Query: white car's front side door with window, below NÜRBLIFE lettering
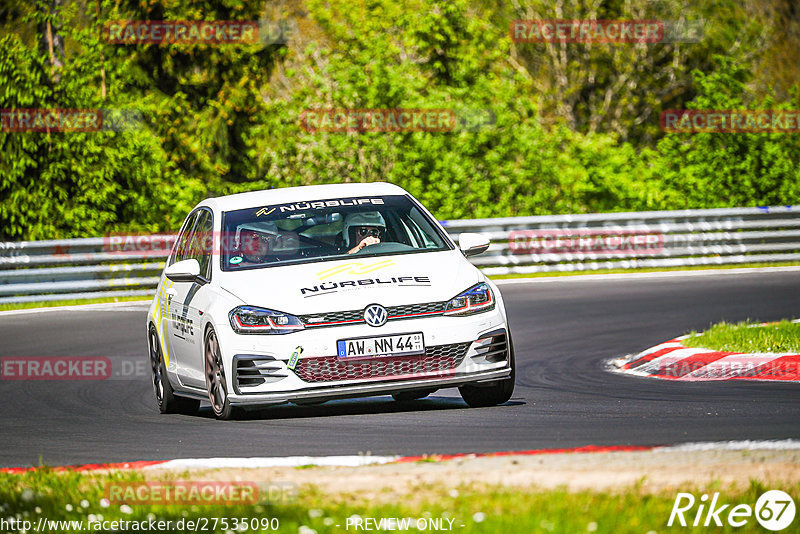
188, 303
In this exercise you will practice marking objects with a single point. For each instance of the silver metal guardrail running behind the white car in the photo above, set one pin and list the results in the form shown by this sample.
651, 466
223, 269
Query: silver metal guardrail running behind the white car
34, 271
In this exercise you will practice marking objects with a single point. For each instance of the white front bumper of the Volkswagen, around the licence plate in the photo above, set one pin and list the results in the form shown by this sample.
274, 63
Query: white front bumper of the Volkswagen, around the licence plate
320, 376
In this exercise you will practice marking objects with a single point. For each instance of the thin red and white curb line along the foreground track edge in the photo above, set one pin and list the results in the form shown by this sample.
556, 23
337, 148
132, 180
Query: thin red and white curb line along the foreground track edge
363, 460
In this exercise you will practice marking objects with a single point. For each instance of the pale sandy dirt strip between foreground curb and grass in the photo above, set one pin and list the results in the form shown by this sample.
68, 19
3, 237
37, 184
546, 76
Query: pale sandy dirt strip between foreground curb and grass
653, 471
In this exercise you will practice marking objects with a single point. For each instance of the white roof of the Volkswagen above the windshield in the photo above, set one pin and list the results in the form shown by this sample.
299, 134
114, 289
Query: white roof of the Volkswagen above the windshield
307, 193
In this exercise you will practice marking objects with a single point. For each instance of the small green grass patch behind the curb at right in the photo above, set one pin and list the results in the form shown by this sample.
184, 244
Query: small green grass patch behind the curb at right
748, 337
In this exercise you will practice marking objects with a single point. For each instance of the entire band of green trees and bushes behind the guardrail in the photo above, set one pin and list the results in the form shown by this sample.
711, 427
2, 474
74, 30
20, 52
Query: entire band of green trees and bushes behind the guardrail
575, 128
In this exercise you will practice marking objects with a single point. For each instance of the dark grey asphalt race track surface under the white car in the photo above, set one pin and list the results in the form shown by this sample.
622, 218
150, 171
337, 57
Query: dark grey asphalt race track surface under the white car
563, 331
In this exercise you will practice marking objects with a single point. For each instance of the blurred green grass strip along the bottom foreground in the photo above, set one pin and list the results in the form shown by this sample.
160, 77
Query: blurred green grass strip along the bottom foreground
76, 496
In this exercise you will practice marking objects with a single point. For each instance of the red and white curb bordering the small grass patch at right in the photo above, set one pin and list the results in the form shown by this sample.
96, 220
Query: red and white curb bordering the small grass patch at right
674, 361
